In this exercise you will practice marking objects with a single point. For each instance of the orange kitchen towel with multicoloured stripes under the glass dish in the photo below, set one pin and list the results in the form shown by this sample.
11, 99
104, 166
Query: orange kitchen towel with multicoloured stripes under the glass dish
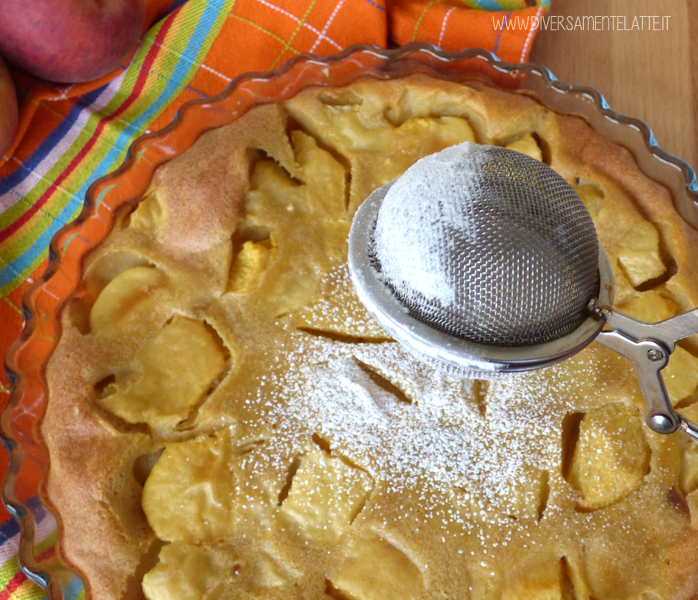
71, 135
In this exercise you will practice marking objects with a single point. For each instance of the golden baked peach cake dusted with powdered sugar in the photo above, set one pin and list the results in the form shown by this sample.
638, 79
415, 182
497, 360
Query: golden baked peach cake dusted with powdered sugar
226, 421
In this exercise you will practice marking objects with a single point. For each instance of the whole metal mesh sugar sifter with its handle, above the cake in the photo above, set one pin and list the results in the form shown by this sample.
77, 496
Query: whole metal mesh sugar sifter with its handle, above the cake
487, 260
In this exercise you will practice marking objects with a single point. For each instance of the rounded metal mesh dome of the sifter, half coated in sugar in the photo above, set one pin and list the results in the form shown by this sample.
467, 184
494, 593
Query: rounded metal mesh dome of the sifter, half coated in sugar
488, 245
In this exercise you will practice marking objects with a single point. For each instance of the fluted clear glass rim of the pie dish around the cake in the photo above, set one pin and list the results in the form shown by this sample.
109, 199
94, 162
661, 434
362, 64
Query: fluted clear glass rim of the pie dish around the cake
27, 359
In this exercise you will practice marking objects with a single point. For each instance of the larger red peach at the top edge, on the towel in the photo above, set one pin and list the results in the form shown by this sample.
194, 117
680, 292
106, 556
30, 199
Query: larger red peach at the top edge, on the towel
70, 40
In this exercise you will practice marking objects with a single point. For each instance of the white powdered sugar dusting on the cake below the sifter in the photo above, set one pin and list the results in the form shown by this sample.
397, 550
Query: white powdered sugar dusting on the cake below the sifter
440, 441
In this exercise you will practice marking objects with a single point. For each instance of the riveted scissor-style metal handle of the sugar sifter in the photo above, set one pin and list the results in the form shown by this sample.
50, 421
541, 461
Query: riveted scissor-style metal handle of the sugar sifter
648, 347
